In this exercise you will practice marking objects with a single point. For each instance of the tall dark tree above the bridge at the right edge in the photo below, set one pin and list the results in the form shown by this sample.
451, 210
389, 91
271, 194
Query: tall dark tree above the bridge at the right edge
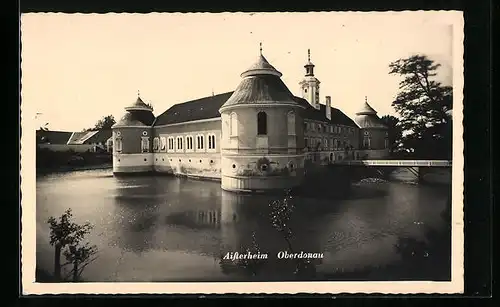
423, 104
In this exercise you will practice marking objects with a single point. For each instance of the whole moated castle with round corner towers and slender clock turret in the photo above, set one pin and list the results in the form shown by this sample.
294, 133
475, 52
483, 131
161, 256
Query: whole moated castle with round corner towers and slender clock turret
258, 137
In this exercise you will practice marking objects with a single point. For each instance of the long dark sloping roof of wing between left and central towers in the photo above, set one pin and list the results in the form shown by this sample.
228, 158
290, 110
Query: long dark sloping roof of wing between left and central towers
202, 108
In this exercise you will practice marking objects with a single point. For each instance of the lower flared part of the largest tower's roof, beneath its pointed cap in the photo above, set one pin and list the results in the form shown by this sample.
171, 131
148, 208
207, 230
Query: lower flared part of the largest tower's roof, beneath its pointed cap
260, 89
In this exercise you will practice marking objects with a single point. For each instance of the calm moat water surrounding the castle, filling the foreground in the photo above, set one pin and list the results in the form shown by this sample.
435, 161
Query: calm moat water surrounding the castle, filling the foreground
162, 228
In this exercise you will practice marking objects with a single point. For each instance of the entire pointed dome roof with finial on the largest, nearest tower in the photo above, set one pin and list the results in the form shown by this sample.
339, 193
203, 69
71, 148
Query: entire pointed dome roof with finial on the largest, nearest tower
261, 84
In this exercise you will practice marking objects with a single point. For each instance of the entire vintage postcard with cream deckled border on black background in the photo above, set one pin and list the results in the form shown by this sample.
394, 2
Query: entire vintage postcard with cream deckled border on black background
316, 152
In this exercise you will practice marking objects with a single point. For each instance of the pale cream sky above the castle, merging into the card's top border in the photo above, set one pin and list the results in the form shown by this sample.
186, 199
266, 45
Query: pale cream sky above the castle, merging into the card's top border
77, 68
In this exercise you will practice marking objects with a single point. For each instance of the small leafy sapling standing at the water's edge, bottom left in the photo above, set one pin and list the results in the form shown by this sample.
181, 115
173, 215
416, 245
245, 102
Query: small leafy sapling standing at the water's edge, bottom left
64, 233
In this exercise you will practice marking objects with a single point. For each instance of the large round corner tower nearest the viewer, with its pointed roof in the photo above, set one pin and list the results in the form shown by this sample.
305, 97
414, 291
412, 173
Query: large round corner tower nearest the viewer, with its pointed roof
262, 133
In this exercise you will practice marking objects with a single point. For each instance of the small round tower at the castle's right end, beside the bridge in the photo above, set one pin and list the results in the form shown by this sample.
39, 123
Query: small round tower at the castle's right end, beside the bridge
374, 134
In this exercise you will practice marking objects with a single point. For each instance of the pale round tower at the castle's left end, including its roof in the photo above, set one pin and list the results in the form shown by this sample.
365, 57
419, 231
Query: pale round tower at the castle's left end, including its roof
132, 140
